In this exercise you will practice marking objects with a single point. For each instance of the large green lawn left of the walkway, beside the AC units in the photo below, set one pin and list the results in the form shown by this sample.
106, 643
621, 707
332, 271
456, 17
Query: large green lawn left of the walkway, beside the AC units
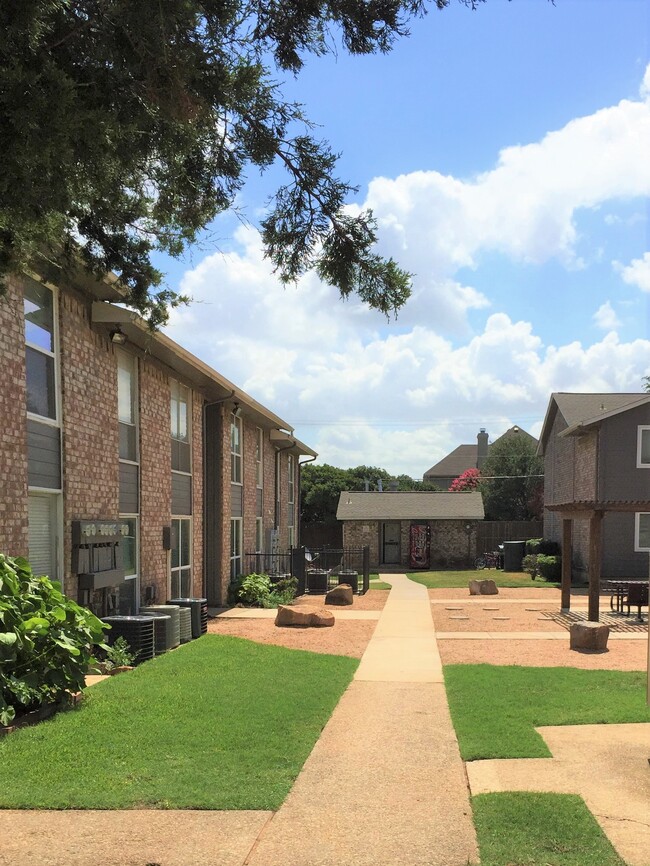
222, 723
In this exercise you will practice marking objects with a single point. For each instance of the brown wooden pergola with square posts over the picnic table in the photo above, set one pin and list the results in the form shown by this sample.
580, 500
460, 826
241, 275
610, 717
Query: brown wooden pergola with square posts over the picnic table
593, 511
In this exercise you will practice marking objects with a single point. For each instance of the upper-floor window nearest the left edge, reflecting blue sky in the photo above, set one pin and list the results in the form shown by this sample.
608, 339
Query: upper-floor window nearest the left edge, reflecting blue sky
40, 350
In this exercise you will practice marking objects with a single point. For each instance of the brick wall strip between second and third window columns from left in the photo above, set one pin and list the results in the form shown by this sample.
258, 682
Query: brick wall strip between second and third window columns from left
155, 476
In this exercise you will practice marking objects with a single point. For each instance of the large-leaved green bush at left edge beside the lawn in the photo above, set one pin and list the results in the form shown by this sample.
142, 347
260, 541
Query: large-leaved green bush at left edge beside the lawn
46, 640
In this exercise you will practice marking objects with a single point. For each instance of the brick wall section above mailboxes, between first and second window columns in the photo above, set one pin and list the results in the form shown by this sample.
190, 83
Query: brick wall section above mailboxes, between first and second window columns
90, 431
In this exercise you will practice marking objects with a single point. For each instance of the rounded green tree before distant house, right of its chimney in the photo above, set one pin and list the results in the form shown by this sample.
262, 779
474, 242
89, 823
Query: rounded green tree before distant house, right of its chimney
510, 480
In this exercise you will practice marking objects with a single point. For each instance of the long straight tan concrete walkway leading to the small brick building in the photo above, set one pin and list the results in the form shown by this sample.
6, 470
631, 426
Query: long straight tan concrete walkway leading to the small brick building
384, 784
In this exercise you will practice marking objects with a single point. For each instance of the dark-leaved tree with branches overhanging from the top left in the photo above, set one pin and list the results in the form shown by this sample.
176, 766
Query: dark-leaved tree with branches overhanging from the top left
126, 126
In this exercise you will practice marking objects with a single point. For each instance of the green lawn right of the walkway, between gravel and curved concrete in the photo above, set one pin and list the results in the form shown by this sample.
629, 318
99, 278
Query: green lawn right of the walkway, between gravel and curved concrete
495, 709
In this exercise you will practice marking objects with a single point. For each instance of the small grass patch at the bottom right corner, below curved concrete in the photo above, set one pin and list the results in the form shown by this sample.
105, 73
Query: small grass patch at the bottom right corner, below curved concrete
539, 830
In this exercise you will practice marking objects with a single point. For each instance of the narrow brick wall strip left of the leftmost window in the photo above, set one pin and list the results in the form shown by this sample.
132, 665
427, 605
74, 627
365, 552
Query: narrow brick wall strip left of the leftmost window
13, 436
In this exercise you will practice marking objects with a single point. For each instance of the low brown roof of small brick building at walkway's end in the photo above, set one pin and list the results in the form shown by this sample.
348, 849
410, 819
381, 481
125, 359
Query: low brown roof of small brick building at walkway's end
359, 505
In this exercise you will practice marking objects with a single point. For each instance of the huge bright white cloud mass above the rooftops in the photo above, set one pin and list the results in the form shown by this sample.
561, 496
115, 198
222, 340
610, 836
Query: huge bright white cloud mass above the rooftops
402, 396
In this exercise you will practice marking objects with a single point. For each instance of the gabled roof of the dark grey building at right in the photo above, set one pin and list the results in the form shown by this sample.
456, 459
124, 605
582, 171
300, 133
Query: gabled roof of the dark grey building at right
581, 411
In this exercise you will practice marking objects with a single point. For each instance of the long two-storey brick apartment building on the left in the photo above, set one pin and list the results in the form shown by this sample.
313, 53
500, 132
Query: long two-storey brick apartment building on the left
129, 469
